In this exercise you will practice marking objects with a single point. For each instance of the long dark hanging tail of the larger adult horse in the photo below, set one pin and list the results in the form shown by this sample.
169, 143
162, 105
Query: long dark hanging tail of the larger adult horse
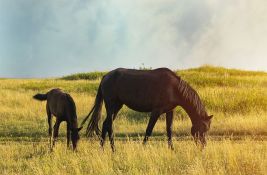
96, 110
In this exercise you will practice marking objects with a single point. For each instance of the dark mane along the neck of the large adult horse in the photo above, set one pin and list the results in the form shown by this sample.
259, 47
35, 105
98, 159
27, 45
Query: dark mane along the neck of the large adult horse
191, 97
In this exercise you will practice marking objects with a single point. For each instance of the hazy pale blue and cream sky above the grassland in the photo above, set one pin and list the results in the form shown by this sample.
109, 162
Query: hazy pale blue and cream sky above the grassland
52, 38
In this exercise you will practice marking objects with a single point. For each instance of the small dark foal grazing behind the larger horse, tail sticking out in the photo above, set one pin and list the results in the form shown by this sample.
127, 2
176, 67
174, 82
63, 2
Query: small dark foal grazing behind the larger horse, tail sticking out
62, 106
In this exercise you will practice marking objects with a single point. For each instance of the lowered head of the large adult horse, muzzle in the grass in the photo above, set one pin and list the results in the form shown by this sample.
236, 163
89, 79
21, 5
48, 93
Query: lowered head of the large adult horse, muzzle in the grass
200, 128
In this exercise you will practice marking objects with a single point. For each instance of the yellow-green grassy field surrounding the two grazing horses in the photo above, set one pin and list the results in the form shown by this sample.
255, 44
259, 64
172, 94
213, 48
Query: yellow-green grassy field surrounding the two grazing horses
237, 142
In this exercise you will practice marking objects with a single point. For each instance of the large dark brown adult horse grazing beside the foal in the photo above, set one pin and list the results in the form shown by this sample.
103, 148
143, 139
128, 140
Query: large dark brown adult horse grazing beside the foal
157, 91
